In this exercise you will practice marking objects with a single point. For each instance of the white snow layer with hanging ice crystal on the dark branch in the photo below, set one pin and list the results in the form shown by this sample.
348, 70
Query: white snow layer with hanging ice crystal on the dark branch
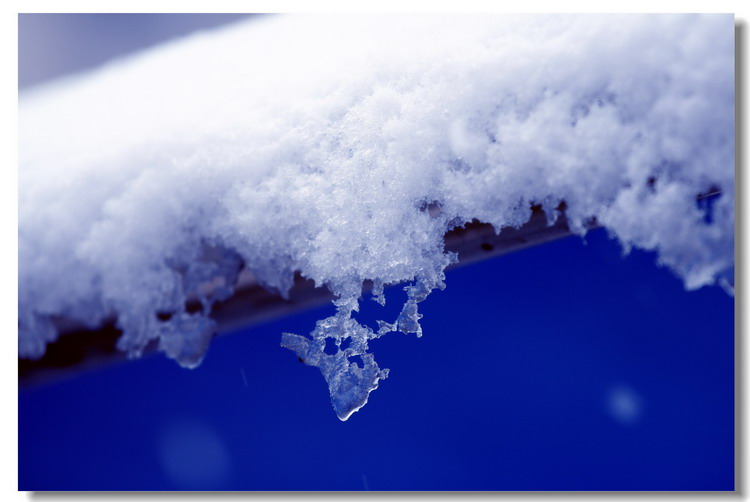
312, 143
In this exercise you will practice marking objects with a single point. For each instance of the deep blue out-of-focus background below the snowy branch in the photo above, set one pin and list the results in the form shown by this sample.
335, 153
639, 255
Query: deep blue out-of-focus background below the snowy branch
516, 385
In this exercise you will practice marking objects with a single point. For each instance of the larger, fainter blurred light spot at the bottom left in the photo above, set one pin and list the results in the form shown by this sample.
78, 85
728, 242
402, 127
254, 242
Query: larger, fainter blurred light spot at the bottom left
193, 455
